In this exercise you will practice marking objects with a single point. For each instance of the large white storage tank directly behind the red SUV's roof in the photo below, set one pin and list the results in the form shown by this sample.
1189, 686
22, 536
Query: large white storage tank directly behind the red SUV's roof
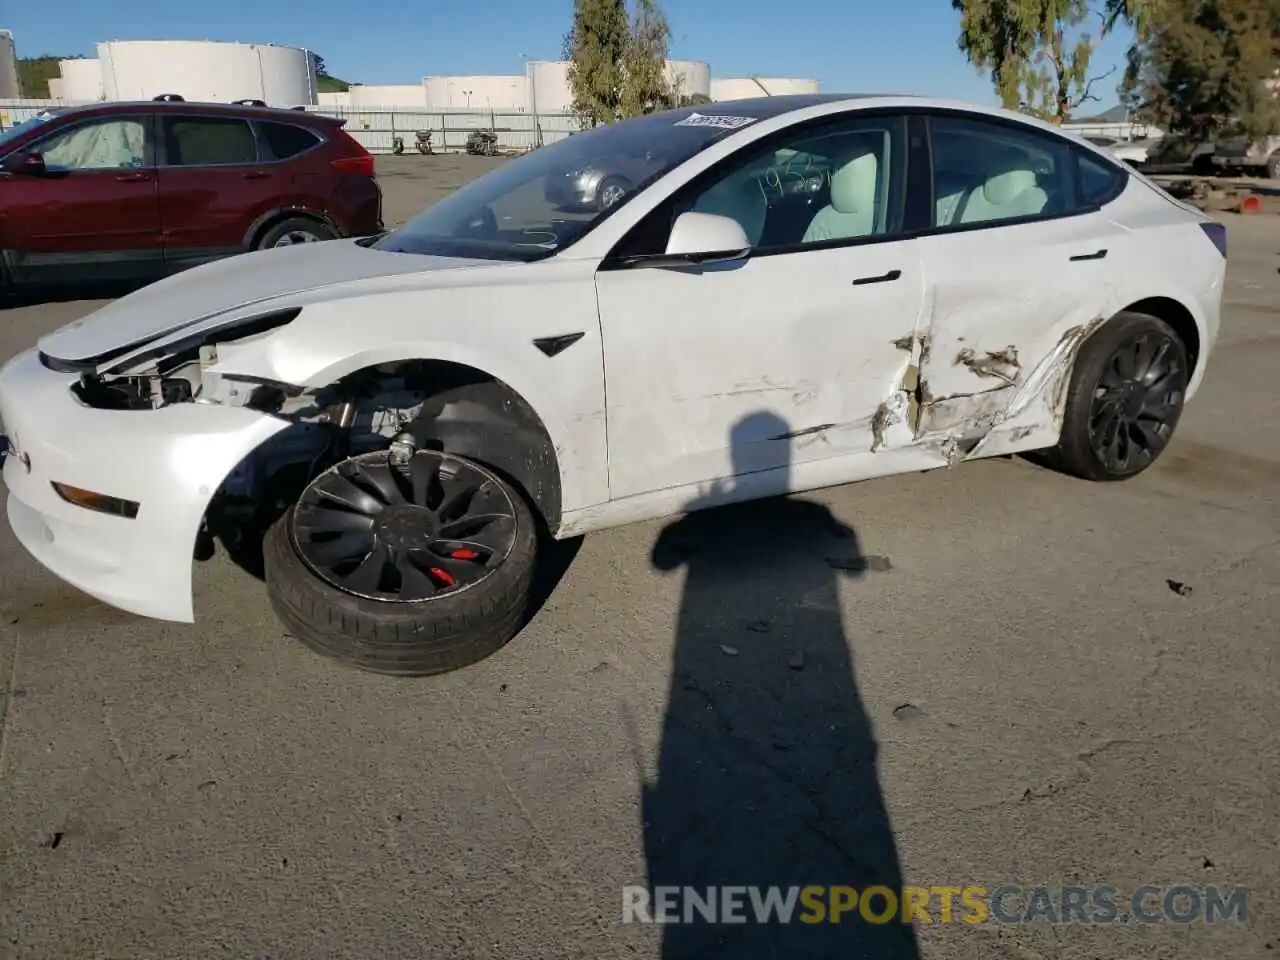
209, 71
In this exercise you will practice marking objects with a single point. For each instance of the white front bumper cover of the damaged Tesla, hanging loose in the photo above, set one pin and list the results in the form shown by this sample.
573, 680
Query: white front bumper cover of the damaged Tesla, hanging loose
171, 461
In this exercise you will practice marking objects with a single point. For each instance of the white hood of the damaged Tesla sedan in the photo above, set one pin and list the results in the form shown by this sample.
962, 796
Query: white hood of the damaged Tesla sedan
301, 273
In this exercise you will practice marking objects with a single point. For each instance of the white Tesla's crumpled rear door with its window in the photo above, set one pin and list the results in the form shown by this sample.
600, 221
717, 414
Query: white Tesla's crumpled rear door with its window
1022, 255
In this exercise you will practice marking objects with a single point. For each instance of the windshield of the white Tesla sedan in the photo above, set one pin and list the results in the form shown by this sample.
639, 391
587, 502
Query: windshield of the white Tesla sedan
540, 204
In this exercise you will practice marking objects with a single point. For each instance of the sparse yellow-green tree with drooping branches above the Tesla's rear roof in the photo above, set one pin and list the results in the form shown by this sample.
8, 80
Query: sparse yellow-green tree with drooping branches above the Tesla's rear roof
1039, 52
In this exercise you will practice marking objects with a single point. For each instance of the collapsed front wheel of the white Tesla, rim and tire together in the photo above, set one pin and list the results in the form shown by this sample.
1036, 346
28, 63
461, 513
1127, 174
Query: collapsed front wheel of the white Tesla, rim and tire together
404, 569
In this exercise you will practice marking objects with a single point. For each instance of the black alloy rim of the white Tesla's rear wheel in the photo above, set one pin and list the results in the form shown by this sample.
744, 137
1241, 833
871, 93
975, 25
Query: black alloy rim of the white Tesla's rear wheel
1137, 401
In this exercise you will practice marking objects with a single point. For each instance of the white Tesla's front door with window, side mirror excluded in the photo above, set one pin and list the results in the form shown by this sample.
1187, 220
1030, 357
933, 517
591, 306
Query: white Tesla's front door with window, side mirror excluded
789, 356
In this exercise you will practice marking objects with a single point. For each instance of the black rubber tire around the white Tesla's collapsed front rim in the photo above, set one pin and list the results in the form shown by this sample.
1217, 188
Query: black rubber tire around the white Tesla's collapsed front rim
409, 639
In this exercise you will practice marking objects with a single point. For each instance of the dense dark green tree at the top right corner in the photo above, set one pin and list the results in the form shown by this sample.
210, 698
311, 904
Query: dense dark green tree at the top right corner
1208, 68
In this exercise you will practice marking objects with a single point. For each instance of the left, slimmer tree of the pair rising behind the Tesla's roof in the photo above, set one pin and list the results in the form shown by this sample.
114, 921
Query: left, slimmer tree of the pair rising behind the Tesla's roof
596, 48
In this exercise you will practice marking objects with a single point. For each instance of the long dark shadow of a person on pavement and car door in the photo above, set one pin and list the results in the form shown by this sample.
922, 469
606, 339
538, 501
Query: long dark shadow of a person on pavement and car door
767, 769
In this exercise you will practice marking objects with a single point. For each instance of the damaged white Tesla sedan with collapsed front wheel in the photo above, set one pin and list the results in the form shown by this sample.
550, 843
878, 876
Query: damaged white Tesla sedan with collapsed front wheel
783, 295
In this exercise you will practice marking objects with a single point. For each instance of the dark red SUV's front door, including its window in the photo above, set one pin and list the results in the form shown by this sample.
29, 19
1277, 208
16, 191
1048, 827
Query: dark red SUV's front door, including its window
95, 213
